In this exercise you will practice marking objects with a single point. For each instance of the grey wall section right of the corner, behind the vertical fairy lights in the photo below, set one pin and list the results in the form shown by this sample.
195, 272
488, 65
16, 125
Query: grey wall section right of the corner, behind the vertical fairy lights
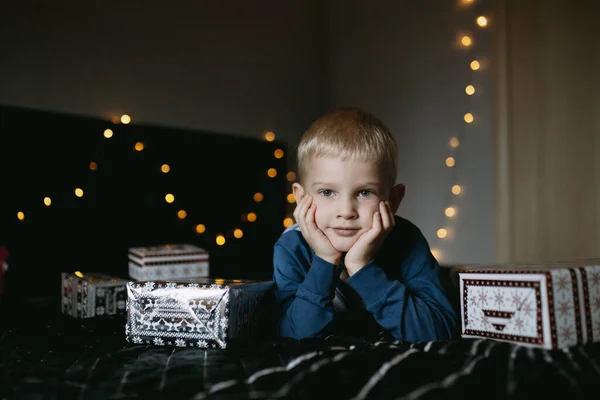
399, 60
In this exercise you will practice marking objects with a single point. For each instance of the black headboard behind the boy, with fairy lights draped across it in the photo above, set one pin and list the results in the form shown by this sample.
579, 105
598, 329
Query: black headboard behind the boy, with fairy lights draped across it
213, 177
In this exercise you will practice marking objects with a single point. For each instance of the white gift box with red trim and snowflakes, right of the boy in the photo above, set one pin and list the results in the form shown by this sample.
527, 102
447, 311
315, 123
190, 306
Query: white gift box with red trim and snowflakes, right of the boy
546, 306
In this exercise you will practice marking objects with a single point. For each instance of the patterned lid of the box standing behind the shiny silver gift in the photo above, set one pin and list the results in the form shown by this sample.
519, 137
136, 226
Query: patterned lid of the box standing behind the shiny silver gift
167, 253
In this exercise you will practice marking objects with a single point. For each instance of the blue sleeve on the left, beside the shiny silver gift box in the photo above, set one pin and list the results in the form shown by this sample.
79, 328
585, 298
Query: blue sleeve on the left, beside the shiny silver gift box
304, 296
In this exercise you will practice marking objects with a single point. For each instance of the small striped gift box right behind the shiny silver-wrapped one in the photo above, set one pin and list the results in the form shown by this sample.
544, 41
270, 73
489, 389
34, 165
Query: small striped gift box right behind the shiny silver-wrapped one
168, 261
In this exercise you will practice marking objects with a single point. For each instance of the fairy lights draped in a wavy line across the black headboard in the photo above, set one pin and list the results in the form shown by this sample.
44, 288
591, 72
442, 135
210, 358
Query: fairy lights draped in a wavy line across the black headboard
220, 235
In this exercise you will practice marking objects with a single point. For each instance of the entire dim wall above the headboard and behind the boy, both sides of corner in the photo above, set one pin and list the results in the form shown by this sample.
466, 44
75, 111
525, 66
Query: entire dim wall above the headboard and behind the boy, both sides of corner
244, 67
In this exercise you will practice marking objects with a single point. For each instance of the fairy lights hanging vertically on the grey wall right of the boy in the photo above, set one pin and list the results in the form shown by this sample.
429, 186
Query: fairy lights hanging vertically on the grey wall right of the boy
465, 43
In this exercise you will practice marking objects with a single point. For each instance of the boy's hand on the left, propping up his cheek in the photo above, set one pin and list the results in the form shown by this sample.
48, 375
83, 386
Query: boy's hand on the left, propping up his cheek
305, 217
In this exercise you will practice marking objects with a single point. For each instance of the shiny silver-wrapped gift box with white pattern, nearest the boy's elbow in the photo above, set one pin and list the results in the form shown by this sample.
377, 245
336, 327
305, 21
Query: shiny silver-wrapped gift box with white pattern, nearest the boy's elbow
205, 313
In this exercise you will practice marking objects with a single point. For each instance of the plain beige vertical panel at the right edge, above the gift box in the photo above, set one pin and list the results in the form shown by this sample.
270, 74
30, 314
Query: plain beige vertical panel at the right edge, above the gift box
548, 138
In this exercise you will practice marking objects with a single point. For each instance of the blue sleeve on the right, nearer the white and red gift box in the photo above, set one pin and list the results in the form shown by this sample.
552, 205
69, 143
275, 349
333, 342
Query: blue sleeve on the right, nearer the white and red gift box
415, 307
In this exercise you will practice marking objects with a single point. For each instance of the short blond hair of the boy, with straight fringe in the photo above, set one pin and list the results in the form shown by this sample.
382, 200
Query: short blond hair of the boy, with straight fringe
349, 133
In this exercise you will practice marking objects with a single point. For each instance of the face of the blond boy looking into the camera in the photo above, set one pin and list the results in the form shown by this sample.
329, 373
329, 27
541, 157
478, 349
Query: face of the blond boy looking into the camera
346, 193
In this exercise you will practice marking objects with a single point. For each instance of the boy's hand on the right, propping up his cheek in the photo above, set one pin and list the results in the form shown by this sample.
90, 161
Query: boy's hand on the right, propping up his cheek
369, 242
